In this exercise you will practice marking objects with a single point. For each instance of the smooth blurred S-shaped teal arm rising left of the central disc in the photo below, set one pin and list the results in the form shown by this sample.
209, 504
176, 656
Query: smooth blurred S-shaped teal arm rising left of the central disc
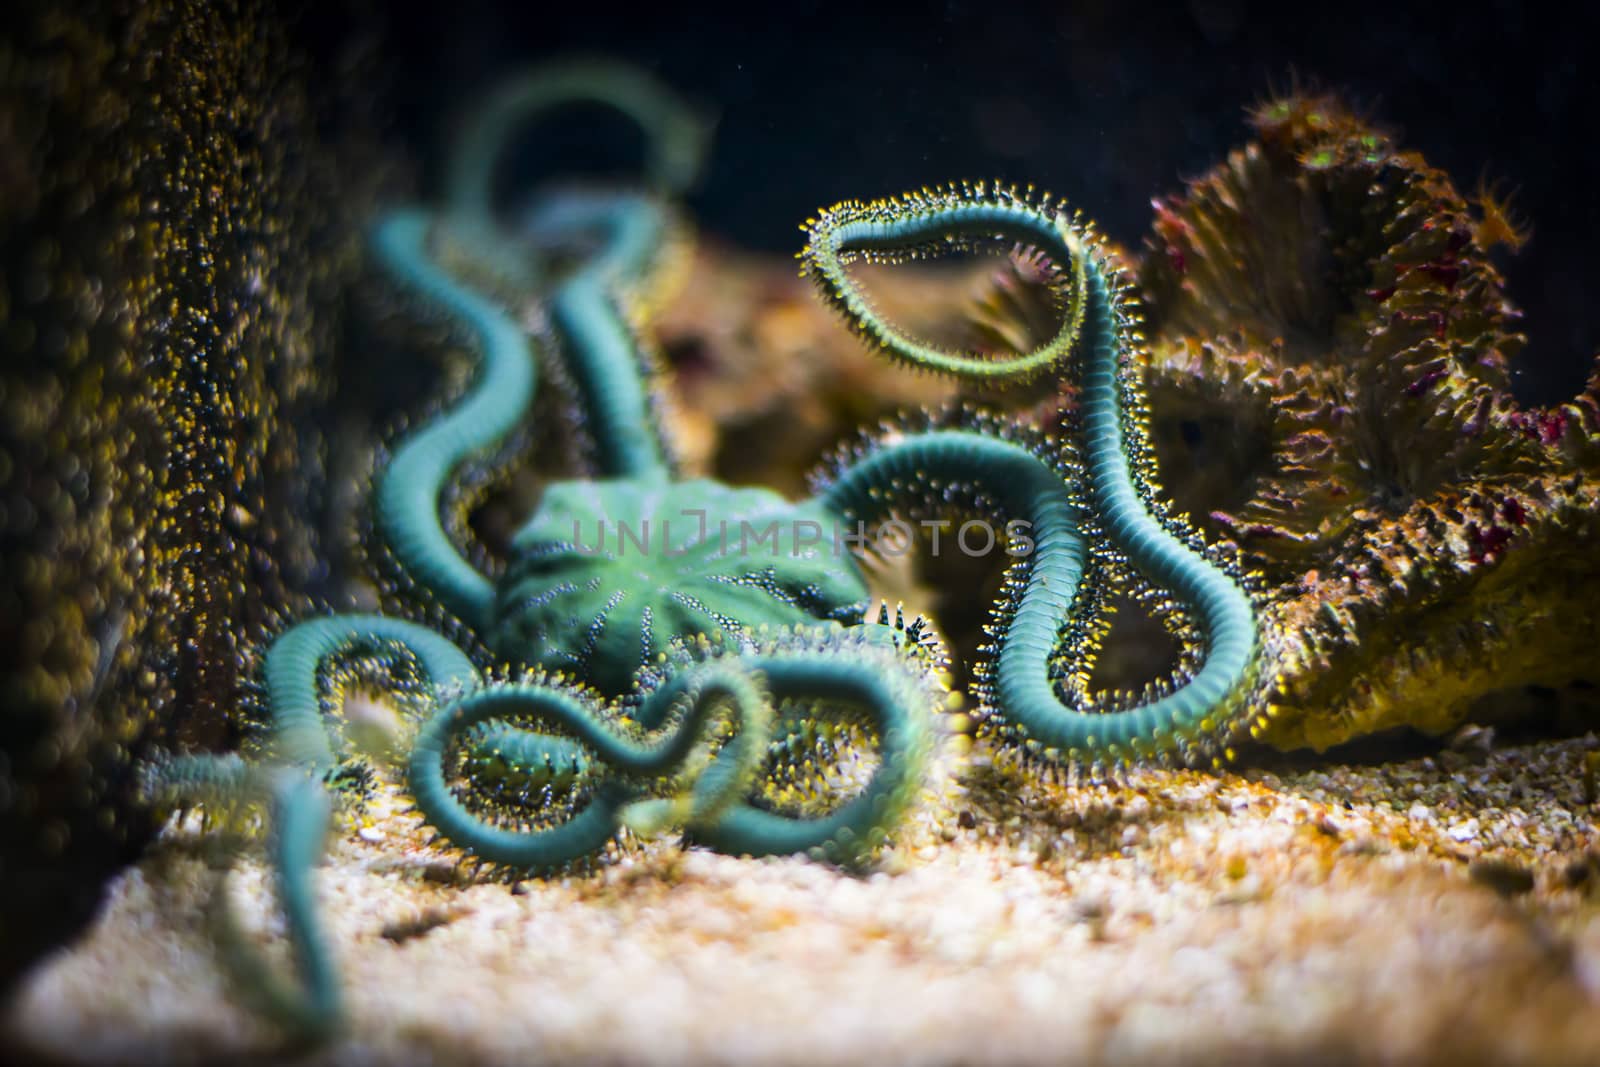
410, 489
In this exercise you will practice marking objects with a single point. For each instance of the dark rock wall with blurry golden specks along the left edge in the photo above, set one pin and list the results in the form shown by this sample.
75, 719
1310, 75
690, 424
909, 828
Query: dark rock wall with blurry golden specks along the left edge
167, 258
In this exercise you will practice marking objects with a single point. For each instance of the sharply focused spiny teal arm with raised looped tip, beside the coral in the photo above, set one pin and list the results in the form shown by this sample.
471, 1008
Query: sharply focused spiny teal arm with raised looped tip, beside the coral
1094, 348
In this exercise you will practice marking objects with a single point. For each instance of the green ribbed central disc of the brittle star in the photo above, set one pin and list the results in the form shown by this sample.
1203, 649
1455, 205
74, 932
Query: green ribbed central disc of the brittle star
609, 575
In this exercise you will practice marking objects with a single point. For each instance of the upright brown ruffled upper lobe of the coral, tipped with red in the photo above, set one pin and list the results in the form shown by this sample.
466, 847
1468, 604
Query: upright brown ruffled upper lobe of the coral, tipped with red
1340, 282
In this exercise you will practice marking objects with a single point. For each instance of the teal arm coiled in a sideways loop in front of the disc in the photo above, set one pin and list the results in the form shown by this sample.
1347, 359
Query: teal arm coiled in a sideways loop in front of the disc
628, 762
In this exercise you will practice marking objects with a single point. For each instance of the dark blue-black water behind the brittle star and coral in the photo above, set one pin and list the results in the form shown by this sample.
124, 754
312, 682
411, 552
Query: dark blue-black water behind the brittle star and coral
1103, 103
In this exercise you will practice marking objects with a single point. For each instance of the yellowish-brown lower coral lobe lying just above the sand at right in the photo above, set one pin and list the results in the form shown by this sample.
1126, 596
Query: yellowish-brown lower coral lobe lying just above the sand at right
1425, 617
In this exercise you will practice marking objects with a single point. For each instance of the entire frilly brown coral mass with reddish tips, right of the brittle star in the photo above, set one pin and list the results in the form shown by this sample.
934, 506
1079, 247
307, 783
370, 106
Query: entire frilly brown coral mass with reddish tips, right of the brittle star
1329, 300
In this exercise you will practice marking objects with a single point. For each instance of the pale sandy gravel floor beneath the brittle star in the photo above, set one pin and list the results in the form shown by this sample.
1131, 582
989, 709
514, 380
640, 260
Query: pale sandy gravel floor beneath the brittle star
1442, 909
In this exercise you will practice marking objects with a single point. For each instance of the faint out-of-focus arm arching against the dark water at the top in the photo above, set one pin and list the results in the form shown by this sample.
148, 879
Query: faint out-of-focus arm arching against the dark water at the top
676, 135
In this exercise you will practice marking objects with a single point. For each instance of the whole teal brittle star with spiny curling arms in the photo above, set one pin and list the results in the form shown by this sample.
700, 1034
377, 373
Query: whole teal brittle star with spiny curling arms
654, 676
